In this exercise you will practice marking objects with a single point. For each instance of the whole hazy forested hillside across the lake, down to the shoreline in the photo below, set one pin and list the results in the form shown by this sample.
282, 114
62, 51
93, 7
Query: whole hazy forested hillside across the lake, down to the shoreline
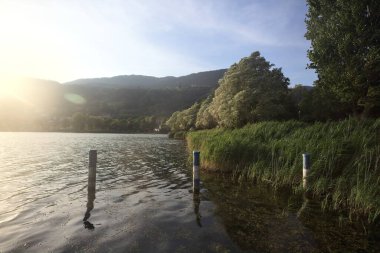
117, 104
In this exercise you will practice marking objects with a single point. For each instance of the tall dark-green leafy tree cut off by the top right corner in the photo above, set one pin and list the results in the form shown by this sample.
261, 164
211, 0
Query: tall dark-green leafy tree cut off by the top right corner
345, 50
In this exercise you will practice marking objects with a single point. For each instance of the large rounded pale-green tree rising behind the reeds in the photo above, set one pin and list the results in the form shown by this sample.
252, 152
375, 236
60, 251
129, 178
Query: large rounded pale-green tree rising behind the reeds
251, 90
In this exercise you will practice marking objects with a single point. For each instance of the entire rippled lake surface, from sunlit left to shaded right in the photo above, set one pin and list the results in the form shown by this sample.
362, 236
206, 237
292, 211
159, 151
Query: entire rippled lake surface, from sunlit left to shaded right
144, 203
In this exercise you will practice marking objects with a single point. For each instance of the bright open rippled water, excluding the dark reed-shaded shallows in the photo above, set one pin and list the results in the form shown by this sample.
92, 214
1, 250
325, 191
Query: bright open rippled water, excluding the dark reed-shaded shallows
142, 204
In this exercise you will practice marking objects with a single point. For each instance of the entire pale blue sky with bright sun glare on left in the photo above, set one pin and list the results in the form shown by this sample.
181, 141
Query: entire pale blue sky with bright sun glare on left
64, 40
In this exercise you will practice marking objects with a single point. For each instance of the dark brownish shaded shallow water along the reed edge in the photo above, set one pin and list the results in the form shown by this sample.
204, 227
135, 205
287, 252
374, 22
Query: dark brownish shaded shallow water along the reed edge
258, 218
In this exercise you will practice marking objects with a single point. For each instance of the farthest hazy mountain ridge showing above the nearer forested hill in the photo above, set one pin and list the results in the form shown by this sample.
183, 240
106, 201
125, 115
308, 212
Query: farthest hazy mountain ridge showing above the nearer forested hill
201, 79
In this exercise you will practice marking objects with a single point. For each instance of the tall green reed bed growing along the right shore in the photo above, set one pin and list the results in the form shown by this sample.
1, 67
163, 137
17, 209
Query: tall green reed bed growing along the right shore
345, 170
